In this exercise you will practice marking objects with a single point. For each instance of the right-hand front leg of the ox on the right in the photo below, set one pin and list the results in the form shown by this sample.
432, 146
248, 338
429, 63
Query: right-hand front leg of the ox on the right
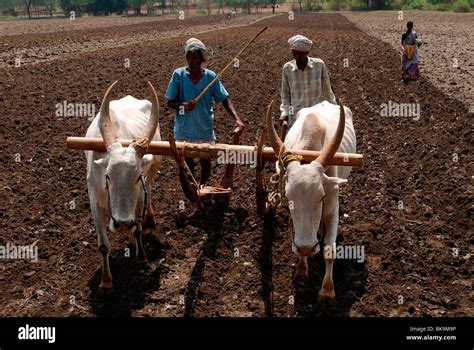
327, 293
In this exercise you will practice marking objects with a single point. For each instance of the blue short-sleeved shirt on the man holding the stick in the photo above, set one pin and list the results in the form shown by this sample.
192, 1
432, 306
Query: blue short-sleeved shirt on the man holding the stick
199, 123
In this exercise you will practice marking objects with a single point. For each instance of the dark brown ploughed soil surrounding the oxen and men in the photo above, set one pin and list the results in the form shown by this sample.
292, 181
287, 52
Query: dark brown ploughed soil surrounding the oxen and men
418, 256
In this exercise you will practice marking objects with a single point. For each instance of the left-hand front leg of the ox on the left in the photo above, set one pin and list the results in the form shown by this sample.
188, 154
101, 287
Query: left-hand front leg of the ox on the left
104, 246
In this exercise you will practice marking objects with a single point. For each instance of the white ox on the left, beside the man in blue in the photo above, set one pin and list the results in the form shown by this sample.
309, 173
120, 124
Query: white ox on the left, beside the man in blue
120, 180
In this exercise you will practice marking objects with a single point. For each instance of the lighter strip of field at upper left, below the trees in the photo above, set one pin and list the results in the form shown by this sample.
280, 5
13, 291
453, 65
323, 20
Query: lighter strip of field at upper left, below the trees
47, 39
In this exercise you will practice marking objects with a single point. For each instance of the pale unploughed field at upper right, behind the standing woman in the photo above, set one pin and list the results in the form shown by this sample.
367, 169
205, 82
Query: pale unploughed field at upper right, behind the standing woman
447, 56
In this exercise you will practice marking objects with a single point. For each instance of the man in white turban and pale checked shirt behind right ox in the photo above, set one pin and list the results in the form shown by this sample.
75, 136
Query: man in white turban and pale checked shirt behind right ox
305, 81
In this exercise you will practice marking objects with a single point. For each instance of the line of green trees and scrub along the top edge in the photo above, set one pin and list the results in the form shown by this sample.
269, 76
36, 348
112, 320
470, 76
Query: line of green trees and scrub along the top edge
119, 7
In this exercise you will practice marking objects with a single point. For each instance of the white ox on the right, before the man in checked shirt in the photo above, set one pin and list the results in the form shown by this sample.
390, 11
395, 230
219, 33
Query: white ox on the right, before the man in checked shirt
313, 189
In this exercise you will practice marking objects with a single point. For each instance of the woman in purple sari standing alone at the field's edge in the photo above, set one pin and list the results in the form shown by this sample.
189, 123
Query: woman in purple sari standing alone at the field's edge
410, 58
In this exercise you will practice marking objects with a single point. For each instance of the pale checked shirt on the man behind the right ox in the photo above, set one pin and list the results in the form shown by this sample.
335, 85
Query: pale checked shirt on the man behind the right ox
301, 89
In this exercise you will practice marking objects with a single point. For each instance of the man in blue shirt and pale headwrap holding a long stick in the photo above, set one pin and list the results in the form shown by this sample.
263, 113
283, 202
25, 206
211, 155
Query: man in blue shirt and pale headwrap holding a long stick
194, 122
